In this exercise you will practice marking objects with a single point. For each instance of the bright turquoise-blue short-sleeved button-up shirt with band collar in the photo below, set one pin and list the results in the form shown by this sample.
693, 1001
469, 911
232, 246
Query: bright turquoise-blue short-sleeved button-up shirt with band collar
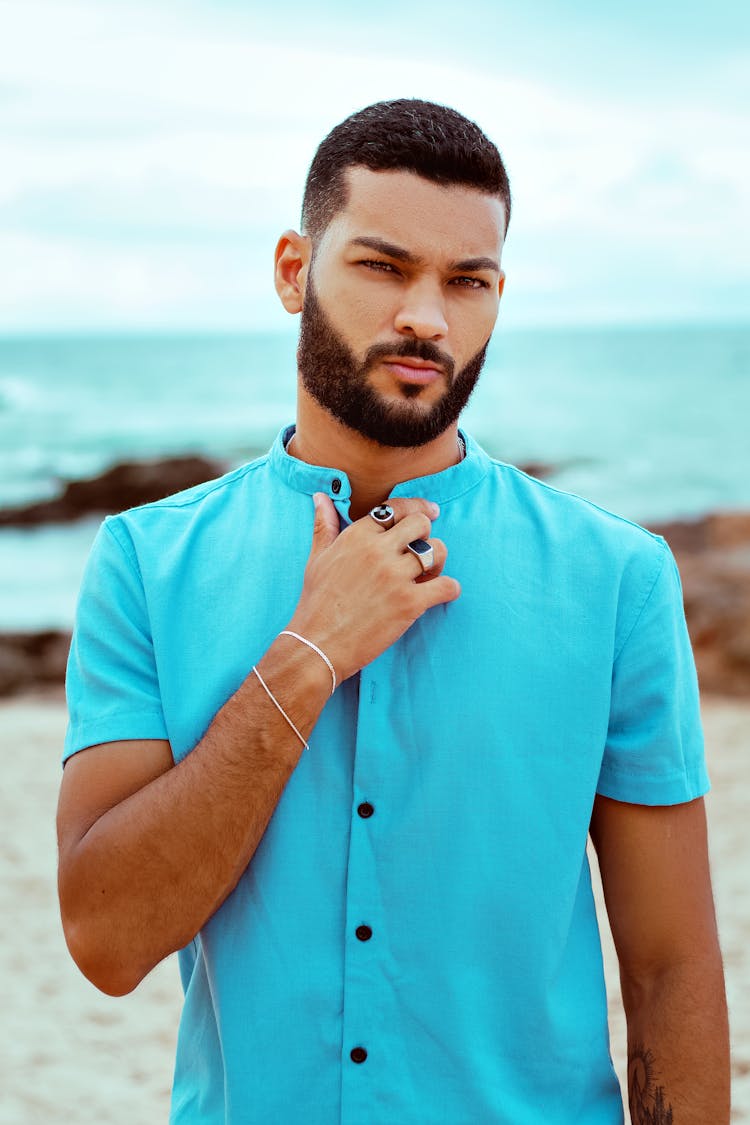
445, 804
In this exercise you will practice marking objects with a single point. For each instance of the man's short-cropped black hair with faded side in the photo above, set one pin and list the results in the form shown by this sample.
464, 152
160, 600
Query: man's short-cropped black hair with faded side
406, 136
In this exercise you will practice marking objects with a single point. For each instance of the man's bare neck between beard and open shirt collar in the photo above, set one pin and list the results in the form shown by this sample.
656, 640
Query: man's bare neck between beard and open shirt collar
374, 471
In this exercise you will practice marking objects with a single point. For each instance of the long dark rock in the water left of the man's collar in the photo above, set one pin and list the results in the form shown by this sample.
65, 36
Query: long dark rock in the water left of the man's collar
123, 487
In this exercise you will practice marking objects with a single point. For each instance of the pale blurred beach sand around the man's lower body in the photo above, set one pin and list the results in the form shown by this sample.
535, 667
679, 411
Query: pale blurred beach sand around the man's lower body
75, 1057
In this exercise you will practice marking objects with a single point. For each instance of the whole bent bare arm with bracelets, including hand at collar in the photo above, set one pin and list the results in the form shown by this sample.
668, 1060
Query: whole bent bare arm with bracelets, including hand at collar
150, 850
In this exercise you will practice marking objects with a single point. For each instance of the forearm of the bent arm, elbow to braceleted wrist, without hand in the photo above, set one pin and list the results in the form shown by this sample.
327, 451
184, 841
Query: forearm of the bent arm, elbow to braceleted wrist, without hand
153, 869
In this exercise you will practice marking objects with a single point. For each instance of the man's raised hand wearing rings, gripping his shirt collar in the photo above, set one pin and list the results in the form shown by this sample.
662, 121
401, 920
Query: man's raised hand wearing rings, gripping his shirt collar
363, 589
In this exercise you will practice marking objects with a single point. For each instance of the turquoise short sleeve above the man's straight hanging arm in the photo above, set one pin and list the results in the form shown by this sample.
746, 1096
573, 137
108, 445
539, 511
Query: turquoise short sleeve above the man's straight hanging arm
655, 752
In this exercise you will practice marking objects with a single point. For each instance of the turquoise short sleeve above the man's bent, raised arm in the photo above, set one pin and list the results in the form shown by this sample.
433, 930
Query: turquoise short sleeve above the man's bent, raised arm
112, 682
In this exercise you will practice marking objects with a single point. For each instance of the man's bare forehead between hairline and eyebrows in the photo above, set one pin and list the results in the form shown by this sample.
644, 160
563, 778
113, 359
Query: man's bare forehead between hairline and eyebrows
427, 219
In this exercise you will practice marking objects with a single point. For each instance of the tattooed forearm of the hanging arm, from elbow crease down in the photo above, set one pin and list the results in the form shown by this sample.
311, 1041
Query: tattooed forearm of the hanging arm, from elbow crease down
679, 1068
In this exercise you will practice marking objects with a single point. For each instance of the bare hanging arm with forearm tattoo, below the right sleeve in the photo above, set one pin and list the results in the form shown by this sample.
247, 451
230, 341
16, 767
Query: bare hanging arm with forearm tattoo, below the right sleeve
657, 886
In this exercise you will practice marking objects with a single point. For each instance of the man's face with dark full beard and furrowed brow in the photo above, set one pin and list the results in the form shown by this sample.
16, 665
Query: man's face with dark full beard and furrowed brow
400, 304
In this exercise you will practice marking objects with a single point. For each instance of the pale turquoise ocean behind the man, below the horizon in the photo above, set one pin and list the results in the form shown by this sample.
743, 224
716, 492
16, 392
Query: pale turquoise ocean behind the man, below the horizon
649, 422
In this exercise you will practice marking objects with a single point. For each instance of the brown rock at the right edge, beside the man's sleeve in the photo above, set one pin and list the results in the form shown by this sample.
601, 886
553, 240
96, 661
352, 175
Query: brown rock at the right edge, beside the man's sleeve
713, 556
